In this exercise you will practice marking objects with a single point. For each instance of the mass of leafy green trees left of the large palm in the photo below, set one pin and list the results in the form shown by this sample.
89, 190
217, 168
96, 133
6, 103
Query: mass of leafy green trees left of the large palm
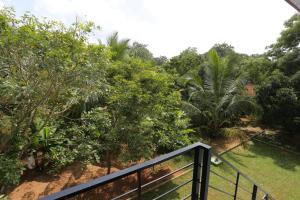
65, 100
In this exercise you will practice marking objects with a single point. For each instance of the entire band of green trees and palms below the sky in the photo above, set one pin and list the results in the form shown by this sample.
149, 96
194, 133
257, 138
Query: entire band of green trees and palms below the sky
65, 100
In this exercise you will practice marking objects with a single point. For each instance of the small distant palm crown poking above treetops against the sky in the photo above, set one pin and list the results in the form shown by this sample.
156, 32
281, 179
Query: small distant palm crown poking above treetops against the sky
118, 47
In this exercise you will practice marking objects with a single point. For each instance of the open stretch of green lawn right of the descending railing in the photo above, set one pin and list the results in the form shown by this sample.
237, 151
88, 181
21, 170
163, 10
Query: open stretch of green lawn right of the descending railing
275, 170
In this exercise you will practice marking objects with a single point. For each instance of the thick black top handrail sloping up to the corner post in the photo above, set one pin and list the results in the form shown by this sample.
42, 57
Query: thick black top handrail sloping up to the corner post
72, 191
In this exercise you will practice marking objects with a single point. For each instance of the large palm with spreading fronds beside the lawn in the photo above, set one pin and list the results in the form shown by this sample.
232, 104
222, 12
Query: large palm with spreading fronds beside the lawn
220, 98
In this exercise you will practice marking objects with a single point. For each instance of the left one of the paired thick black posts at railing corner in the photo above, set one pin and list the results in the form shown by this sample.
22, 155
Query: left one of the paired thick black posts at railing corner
196, 174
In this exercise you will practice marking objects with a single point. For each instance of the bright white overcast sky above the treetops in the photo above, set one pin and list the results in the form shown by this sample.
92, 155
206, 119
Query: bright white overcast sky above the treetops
170, 26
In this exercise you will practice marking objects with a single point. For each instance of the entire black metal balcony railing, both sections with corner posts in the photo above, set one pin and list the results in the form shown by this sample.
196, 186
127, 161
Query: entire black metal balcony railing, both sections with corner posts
200, 178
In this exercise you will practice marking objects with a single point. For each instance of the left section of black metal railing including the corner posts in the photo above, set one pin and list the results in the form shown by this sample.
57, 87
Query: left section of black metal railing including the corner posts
200, 179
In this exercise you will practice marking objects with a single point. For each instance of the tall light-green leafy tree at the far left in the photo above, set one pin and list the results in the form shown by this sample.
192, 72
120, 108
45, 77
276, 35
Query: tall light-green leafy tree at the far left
46, 69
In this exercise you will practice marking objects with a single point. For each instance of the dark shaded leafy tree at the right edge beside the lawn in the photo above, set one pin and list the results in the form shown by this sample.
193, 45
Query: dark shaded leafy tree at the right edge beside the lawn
279, 93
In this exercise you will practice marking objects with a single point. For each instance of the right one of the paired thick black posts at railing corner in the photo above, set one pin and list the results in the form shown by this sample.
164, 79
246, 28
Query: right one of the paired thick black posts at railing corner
205, 173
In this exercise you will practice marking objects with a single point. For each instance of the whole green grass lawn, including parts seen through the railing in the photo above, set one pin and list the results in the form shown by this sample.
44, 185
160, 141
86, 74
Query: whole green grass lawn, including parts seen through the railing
276, 171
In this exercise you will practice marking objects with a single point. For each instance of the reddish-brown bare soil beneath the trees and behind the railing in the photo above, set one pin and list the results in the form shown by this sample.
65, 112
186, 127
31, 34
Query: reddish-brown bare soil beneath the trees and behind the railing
36, 186
